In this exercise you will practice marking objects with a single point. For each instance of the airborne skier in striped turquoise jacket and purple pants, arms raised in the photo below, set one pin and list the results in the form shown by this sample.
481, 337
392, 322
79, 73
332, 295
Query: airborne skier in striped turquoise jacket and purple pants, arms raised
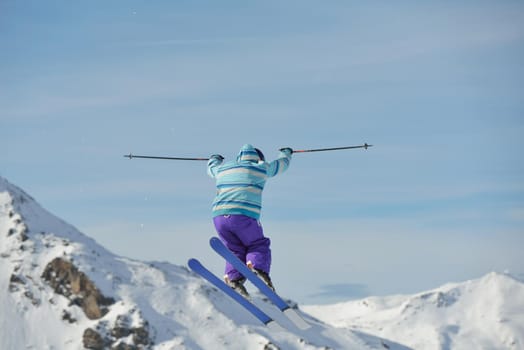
237, 207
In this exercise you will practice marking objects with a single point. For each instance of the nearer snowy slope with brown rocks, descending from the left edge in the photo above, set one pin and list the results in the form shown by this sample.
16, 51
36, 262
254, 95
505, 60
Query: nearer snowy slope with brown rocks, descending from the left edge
59, 289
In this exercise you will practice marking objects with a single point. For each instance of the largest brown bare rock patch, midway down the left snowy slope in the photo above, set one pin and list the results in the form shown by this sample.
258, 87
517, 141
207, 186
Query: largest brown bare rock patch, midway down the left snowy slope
67, 280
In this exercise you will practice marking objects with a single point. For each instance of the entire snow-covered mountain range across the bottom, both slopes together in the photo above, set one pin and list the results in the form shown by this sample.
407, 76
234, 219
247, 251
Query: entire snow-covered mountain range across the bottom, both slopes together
59, 289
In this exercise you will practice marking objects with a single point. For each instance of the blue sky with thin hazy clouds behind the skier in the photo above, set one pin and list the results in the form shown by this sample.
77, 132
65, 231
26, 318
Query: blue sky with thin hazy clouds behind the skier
437, 88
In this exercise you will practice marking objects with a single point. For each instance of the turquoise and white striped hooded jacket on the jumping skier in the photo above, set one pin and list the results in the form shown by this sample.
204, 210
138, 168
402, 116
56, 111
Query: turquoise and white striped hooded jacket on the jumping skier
240, 183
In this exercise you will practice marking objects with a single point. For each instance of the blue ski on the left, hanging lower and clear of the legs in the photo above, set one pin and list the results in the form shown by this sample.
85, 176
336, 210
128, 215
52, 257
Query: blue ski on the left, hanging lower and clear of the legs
197, 267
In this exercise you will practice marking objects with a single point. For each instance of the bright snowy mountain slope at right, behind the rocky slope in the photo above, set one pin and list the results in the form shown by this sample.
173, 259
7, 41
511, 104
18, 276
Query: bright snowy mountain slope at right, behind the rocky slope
487, 313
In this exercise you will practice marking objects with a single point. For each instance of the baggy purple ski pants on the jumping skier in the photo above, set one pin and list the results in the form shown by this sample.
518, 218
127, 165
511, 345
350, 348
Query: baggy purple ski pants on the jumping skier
244, 236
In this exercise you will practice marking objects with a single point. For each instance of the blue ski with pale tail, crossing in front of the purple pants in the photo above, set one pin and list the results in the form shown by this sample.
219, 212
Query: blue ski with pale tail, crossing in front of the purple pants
221, 249
